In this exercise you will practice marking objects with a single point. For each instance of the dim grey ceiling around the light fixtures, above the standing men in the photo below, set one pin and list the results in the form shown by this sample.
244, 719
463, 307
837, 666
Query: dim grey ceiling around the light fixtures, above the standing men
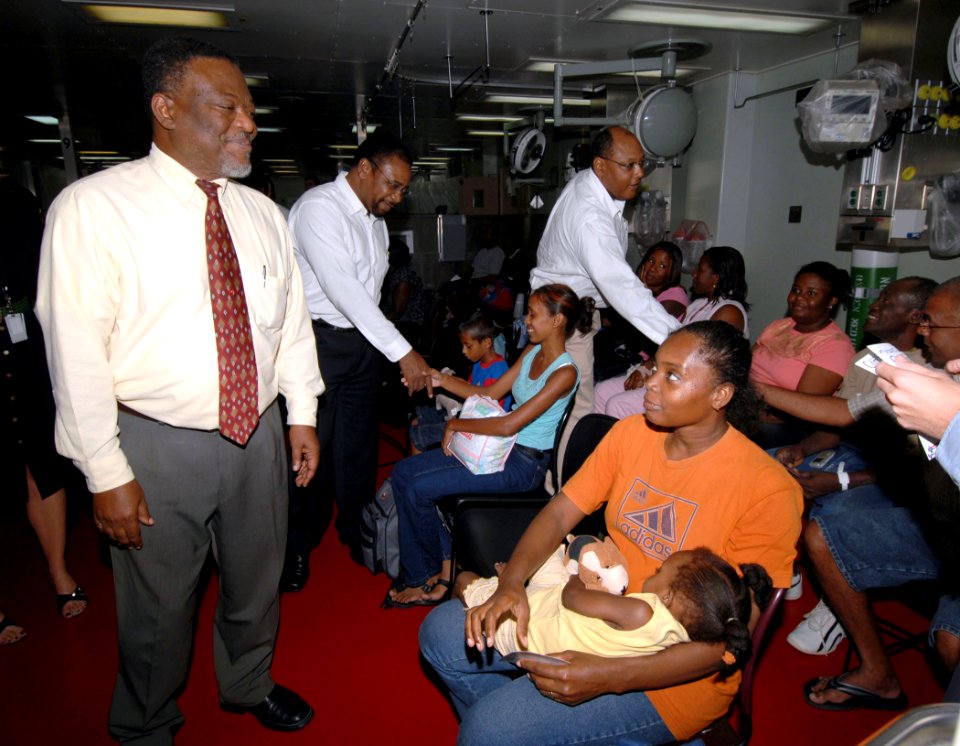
324, 59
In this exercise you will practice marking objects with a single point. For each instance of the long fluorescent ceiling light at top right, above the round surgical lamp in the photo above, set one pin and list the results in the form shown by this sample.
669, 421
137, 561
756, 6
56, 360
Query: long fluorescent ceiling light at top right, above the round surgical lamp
717, 18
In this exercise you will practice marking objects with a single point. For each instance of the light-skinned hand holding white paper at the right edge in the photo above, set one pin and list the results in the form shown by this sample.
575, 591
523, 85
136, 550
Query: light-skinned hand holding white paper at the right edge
923, 399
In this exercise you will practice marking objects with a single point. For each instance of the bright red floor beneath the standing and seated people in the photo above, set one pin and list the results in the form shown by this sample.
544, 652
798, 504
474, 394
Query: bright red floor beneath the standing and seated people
357, 664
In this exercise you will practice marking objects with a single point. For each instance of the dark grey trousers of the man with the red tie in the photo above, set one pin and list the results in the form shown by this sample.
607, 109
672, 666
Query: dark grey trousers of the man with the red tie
204, 493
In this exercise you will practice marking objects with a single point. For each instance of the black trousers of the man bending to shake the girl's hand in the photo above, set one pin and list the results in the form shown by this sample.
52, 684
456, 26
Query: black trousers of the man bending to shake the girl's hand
347, 428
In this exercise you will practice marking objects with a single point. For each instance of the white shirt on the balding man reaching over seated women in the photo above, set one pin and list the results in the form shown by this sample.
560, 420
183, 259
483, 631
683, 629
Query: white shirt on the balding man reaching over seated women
585, 246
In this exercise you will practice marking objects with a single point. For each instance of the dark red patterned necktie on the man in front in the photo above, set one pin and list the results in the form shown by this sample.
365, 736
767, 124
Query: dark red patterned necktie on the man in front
239, 409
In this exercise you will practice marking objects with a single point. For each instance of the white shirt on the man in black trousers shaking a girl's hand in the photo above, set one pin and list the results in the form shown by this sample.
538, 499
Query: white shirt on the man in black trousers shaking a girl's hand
342, 253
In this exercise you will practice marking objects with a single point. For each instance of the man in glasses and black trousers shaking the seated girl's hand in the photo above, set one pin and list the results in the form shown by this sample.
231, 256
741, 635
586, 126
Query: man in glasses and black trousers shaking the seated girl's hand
340, 240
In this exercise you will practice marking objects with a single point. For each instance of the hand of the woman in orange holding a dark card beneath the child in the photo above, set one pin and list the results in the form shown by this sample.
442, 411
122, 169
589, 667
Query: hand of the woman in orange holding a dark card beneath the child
586, 677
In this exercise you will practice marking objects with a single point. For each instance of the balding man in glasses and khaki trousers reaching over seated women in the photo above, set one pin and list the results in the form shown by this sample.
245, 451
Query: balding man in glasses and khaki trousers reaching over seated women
585, 245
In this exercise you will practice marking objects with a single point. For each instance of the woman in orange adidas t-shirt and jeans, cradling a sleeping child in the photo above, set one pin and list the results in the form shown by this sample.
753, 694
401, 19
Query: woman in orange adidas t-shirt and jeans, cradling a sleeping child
677, 478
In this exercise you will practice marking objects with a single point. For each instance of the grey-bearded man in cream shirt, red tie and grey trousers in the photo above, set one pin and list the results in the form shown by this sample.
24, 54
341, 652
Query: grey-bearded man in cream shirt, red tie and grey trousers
124, 298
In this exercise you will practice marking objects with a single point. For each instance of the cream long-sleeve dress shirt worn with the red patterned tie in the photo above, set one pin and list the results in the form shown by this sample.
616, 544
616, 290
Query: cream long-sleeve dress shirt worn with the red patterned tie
124, 302
